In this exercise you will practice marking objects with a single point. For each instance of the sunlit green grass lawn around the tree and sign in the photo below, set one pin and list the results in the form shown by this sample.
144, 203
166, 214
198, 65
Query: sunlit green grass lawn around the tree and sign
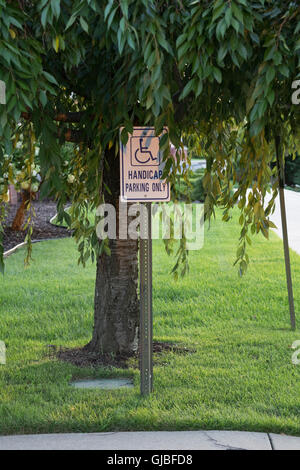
240, 377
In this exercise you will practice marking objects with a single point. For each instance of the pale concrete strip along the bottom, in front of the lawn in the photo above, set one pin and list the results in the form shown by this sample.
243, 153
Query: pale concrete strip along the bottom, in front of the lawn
161, 440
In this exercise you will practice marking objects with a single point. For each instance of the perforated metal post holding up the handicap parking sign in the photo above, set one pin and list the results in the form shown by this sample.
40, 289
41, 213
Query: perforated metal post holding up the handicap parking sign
146, 319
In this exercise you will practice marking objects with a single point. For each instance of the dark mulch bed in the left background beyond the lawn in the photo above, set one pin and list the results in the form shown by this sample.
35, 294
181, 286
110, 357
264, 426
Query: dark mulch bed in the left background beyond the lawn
42, 228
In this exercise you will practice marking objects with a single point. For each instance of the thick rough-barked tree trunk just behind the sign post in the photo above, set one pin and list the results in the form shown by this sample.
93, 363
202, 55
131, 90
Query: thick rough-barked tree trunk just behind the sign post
116, 309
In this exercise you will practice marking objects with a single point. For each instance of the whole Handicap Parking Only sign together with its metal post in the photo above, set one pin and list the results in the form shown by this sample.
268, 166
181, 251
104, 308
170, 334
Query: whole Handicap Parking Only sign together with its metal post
141, 167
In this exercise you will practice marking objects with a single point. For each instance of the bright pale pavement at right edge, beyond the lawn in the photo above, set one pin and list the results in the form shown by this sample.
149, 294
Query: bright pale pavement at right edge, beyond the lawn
292, 202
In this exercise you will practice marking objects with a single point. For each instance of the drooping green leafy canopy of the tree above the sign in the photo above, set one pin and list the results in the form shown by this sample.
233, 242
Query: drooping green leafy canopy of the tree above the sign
218, 70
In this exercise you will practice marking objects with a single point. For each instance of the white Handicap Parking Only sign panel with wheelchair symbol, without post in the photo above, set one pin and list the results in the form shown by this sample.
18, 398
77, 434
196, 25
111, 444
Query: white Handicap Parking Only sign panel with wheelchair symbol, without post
141, 167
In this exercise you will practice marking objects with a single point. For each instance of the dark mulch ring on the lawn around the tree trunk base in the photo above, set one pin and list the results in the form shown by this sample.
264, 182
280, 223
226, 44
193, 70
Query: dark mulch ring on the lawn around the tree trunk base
81, 357
